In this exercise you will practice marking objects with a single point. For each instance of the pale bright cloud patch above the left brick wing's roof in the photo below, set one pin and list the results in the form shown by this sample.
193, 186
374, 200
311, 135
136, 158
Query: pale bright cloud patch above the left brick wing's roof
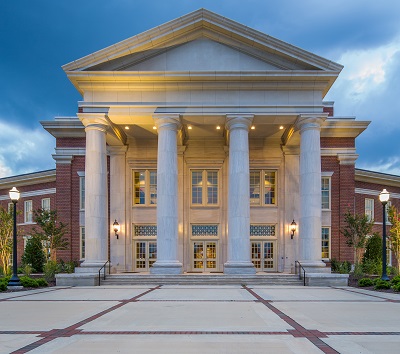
24, 150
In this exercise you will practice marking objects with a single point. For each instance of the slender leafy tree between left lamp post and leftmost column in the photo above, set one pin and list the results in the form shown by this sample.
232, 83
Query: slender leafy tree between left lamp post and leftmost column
52, 231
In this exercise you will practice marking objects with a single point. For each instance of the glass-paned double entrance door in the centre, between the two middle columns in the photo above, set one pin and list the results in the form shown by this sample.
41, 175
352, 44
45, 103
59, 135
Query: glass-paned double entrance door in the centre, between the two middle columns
204, 256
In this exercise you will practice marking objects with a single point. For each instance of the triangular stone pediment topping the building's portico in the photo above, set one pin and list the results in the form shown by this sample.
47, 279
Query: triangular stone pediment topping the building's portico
194, 35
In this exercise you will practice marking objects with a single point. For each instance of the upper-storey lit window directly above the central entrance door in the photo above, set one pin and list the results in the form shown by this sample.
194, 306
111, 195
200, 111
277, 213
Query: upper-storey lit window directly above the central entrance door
204, 187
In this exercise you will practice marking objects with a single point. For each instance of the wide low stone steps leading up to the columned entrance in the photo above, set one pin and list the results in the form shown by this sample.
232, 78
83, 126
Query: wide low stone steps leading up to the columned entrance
282, 279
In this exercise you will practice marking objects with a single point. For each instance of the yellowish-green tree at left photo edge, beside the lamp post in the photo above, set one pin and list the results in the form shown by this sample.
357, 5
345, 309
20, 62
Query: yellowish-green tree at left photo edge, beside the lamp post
6, 239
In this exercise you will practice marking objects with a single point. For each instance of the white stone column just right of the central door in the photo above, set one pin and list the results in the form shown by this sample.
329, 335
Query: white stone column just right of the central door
239, 258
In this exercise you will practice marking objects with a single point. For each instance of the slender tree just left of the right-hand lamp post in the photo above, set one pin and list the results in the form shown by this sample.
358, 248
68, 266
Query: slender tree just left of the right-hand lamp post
357, 228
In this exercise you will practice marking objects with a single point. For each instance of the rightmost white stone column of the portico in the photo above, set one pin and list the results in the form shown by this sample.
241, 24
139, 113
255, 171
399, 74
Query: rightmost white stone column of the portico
310, 192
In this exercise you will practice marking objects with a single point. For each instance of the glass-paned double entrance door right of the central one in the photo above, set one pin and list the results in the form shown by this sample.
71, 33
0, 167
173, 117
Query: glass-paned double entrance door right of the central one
263, 255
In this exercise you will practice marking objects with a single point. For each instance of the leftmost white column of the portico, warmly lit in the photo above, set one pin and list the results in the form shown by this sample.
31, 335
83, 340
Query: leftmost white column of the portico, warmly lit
96, 195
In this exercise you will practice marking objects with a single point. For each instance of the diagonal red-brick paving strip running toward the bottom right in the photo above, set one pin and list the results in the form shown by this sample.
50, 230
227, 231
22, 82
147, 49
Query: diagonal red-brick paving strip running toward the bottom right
314, 336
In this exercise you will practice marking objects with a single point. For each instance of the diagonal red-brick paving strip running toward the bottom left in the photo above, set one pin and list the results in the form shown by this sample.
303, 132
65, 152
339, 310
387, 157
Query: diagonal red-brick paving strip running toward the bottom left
70, 330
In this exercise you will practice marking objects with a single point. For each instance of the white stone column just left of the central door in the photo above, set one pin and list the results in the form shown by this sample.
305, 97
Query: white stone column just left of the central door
167, 196
